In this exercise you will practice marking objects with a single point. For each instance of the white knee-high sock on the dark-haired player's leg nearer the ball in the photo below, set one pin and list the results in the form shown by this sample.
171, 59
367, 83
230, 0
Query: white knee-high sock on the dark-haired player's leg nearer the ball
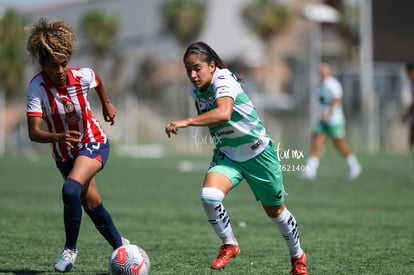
211, 199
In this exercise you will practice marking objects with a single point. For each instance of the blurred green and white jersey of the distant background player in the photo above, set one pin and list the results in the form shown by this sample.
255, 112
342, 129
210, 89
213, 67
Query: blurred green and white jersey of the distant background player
328, 90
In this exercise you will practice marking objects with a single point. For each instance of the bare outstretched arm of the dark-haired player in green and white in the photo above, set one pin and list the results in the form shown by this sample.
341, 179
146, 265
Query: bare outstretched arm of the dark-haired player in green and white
220, 114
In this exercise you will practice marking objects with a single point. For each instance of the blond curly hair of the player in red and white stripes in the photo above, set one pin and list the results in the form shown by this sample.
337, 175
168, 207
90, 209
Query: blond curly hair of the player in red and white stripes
49, 38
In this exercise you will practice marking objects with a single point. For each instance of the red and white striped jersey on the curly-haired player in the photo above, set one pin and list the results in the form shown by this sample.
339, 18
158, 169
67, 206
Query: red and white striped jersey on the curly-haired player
66, 108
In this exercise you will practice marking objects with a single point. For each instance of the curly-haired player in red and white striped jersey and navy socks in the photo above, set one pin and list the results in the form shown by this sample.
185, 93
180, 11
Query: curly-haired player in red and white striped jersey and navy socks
58, 96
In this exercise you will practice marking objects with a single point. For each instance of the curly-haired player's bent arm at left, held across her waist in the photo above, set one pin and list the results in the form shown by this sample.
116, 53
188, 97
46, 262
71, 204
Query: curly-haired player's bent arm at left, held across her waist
36, 133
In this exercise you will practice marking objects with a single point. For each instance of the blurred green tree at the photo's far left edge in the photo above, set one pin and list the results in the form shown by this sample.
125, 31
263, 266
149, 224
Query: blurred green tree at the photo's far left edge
13, 59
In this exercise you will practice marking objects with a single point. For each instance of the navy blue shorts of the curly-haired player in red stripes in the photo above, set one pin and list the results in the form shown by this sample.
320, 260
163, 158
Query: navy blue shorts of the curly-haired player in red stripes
93, 150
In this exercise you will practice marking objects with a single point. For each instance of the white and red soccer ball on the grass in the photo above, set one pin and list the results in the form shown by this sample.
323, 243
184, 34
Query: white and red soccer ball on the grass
129, 259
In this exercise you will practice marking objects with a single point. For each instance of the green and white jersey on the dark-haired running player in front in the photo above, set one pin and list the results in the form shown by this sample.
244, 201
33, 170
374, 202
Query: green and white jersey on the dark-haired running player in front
243, 136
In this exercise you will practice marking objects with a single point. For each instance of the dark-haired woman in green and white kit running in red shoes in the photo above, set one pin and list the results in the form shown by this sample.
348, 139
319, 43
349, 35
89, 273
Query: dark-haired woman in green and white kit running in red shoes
243, 151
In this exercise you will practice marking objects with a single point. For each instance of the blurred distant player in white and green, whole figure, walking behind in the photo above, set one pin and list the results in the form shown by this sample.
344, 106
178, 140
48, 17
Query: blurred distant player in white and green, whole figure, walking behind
331, 123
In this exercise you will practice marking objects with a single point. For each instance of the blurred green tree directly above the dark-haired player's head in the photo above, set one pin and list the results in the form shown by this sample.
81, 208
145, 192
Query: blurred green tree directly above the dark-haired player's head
184, 19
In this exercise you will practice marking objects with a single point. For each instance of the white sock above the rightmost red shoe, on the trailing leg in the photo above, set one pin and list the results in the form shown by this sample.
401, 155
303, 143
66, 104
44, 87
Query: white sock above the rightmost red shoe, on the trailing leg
289, 229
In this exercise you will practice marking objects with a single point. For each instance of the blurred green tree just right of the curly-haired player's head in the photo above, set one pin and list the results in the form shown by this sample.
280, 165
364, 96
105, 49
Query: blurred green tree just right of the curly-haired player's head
101, 30
